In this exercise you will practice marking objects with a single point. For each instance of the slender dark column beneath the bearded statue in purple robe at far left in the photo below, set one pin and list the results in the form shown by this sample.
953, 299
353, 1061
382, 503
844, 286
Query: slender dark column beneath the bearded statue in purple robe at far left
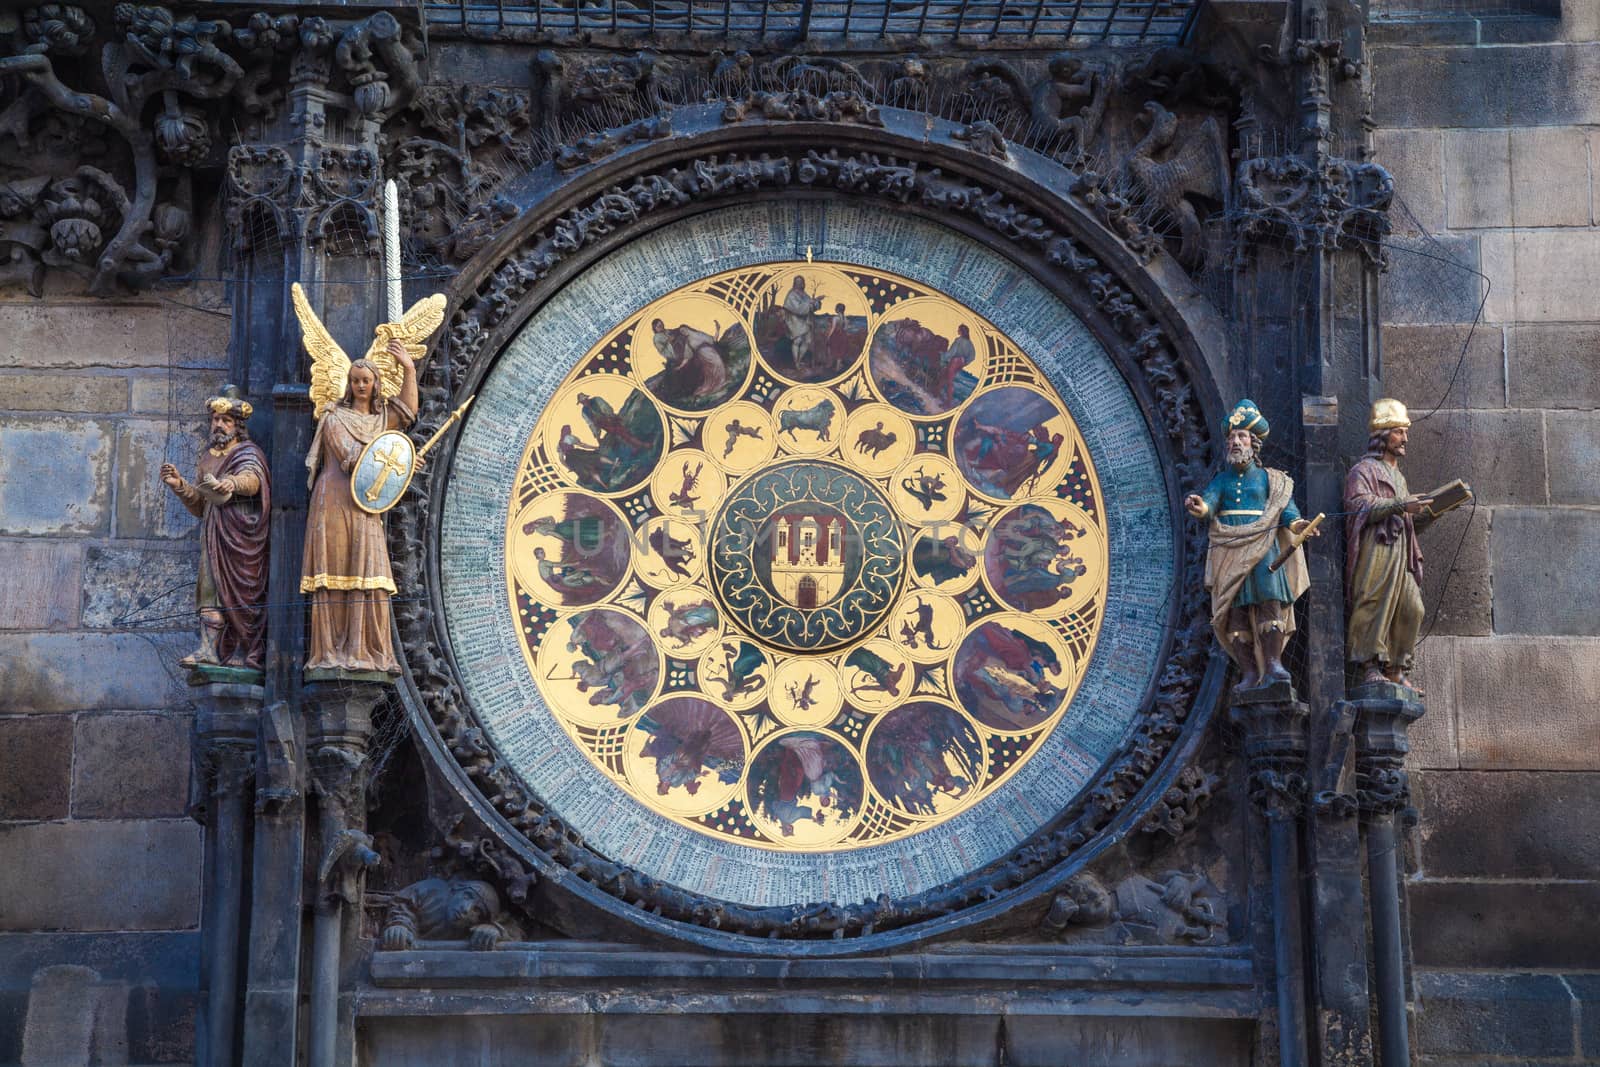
225, 753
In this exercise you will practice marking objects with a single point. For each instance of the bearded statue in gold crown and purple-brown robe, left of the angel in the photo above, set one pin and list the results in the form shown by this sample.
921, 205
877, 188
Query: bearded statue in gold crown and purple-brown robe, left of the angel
231, 497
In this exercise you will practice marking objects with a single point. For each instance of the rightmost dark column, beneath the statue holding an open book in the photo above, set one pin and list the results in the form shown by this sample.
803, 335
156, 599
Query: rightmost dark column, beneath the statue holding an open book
1383, 722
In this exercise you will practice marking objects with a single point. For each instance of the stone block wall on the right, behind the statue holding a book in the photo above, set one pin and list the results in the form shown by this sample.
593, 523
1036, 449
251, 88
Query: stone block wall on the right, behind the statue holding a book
1494, 134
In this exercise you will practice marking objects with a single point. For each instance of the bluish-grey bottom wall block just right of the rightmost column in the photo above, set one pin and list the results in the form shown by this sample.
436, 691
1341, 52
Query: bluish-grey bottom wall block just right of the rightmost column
1494, 1015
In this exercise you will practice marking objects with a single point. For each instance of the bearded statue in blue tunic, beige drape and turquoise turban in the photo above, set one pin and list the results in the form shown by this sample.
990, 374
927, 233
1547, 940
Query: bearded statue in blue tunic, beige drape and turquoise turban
1255, 567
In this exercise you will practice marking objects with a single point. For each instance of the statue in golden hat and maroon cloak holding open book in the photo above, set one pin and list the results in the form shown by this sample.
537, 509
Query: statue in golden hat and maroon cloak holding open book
1383, 565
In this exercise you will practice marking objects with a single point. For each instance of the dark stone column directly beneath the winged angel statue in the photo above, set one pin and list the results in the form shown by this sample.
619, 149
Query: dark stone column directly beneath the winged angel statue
340, 724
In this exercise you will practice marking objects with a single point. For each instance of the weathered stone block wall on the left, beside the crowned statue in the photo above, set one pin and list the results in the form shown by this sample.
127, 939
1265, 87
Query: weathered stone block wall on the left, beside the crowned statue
100, 869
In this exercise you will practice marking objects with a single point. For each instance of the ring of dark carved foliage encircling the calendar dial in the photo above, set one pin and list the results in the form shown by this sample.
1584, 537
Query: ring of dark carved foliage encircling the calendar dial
489, 313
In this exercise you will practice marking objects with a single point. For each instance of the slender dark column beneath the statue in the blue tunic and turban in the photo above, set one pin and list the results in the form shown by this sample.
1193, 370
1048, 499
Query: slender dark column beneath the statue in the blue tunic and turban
1273, 724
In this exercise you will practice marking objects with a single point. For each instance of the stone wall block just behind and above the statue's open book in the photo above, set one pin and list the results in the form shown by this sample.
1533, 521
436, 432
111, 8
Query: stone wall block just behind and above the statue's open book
1498, 454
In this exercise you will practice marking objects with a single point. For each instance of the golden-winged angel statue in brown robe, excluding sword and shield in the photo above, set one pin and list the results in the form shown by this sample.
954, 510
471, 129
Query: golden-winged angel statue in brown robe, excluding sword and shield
346, 565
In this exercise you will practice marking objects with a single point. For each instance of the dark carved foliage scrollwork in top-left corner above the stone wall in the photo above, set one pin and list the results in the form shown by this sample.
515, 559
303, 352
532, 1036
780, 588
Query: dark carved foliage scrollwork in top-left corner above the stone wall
87, 191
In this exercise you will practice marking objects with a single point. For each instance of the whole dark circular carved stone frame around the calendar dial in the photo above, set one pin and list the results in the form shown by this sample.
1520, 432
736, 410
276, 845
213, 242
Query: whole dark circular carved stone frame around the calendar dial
1158, 329
